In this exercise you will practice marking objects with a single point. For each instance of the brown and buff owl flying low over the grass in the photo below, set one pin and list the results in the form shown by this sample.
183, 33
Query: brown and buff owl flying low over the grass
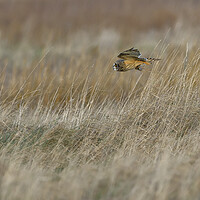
130, 59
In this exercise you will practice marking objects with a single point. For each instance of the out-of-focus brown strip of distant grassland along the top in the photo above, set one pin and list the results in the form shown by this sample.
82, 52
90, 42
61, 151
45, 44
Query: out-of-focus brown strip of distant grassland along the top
50, 21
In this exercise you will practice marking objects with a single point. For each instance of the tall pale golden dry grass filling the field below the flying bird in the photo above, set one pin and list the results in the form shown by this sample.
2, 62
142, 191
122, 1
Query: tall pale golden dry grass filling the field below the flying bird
75, 129
